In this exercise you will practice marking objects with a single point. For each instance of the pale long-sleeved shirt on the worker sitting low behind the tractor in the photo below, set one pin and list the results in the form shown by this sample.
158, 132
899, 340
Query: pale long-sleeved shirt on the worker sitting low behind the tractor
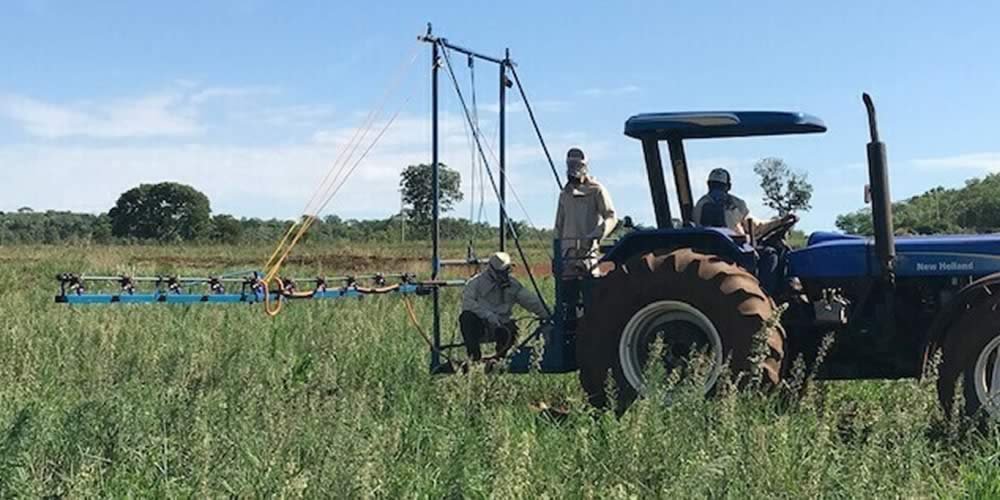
485, 298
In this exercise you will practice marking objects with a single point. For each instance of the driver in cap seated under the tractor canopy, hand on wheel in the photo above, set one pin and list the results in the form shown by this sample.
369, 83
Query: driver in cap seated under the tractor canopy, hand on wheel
720, 208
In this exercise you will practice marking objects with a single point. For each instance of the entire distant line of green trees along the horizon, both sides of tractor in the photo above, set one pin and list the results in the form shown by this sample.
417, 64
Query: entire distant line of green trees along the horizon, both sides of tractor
170, 212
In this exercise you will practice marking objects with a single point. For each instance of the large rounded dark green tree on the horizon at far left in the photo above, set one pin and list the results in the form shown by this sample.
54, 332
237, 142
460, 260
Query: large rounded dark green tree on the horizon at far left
165, 211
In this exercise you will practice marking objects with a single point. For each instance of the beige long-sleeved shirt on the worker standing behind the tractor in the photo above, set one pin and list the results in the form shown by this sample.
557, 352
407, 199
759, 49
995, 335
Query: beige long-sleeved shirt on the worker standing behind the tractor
585, 216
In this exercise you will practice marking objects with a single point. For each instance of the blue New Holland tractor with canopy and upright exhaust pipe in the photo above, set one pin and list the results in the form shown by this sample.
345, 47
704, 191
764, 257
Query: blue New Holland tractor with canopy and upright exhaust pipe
888, 303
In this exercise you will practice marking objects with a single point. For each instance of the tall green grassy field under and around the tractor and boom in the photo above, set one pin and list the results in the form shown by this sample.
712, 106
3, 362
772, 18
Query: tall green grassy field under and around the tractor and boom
334, 400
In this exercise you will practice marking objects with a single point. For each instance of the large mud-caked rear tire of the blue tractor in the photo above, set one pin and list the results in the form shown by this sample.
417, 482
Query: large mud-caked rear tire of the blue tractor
682, 286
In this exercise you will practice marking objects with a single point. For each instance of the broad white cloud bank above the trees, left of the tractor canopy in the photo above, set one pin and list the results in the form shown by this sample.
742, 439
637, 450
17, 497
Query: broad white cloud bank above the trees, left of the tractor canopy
269, 178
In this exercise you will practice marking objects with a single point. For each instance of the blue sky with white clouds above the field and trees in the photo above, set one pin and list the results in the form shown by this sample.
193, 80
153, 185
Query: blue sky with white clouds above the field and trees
252, 101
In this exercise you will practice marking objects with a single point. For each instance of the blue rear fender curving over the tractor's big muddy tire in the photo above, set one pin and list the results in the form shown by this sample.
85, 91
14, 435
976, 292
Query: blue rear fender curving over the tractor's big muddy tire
712, 241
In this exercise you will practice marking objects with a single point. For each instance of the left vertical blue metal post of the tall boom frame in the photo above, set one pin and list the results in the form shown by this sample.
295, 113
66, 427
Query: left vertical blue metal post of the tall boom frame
436, 213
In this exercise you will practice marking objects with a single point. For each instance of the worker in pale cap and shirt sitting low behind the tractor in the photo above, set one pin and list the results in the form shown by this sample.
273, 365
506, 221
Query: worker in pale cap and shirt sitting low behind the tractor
487, 302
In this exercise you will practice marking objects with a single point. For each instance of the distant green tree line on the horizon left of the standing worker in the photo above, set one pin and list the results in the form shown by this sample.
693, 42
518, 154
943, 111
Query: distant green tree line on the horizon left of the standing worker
169, 212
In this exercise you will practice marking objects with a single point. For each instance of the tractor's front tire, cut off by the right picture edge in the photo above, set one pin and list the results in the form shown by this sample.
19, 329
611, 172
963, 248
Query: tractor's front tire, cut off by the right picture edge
970, 353
